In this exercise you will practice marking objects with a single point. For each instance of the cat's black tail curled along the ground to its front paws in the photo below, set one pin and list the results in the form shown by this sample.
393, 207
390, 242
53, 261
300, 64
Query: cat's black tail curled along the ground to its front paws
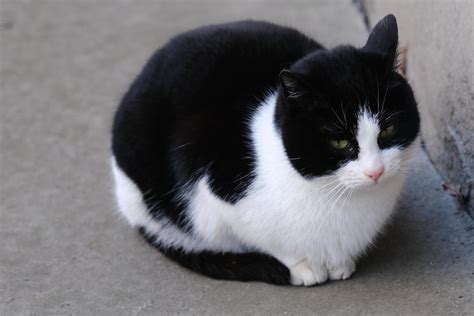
249, 266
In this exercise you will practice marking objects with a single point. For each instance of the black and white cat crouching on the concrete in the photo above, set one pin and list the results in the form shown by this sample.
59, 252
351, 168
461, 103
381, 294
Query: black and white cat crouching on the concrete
246, 151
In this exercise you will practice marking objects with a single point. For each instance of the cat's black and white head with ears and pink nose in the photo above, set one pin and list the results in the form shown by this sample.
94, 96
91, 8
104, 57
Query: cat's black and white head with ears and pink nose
347, 112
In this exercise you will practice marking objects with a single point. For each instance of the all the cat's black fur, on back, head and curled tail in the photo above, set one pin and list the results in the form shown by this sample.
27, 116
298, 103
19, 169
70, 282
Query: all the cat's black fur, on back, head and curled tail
187, 115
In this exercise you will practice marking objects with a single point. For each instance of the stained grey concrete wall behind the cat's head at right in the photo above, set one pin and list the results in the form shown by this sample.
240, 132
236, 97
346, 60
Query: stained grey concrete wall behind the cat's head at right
439, 40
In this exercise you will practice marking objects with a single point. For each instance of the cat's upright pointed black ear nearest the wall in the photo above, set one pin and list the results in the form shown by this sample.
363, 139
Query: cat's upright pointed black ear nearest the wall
384, 38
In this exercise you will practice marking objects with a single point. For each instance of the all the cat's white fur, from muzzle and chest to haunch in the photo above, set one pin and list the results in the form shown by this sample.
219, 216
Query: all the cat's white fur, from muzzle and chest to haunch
317, 228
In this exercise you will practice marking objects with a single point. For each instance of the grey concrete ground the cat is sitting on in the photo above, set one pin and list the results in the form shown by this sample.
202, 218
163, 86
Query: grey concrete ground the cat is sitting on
64, 67
